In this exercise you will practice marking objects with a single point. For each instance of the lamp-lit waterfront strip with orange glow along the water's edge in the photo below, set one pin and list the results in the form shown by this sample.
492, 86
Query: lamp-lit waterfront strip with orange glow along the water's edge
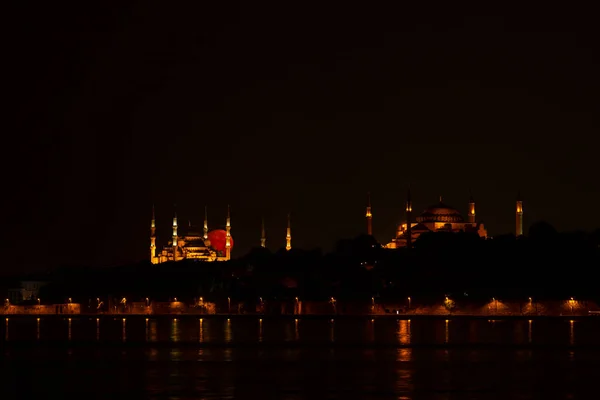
333, 307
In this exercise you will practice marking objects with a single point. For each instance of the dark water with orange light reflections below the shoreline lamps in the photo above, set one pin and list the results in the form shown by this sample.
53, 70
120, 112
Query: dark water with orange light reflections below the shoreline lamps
253, 358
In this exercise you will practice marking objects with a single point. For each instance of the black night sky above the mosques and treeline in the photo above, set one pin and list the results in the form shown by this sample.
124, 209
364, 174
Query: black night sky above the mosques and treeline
283, 109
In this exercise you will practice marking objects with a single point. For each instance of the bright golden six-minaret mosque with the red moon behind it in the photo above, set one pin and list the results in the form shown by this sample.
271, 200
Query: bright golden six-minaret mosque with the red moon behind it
205, 245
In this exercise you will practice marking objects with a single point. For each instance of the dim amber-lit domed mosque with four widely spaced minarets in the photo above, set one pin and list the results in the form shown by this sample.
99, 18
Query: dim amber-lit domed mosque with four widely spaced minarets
439, 218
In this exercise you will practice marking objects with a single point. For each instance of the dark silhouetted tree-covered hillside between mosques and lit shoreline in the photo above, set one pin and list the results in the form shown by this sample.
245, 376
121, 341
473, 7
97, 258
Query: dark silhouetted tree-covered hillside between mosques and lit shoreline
545, 264
